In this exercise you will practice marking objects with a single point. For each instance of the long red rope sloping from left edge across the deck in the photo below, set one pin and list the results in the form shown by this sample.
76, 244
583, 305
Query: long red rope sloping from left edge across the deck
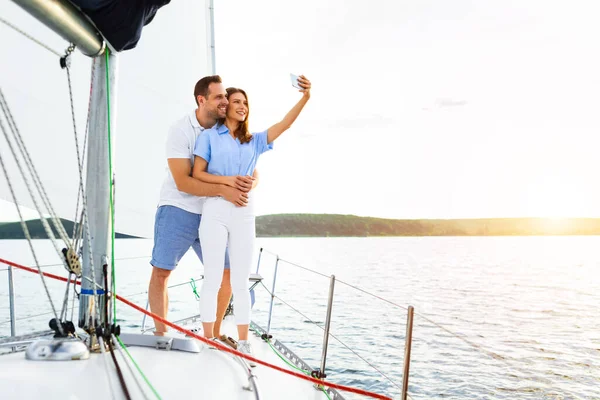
215, 344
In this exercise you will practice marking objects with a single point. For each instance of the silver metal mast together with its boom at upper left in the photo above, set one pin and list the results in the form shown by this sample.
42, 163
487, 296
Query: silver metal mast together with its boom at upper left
72, 25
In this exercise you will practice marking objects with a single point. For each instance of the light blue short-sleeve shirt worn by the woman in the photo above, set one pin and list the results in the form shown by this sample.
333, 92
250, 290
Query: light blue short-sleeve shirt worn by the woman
225, 155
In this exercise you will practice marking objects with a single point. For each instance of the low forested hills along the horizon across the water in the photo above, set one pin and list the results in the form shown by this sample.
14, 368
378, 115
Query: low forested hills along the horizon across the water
321, 225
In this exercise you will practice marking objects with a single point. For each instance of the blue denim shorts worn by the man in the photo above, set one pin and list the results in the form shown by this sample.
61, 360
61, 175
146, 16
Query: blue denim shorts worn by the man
175, 231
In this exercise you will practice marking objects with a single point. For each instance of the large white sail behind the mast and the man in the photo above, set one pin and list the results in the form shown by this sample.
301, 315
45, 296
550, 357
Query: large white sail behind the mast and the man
154, 89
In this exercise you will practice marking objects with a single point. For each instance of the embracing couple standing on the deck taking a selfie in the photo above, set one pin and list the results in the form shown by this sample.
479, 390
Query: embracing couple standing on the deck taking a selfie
206, 203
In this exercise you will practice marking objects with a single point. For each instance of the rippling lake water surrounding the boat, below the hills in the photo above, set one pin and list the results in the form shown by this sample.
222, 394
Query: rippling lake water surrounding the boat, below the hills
495, 317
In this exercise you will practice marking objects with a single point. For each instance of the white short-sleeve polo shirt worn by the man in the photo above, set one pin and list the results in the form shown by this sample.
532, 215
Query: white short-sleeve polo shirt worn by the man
180, 144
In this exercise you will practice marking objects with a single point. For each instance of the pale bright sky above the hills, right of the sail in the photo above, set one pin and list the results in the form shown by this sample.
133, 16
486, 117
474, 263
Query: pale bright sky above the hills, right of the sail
420, 109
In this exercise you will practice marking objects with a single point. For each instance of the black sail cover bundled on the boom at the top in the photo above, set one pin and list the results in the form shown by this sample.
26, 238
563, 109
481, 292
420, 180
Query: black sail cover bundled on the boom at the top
121, 21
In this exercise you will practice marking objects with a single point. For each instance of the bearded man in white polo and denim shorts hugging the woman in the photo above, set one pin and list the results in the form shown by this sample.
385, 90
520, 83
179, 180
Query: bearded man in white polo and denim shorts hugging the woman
181, 200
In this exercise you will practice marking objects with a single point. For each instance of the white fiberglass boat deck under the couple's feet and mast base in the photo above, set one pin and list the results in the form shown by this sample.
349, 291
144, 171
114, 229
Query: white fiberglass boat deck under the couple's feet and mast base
210, 374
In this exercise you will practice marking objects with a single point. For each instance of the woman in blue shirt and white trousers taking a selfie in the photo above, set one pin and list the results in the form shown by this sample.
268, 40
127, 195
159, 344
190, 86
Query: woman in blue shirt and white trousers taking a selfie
227, 154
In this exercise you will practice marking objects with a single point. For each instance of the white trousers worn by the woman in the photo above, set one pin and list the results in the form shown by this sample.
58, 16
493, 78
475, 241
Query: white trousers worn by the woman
223, 224
